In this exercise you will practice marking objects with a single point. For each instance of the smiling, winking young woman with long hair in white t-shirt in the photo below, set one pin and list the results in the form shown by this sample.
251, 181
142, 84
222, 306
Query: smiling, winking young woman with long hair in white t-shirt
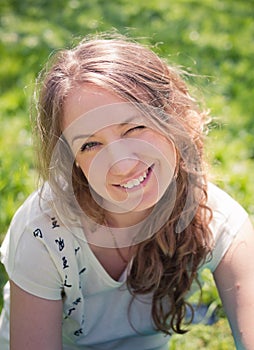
105, 254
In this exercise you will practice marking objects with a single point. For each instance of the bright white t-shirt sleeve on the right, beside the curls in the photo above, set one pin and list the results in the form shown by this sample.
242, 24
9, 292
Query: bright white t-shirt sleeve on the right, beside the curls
228, 218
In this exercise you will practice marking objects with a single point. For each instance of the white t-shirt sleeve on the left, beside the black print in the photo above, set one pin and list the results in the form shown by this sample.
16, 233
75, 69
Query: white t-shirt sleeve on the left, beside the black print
29, 263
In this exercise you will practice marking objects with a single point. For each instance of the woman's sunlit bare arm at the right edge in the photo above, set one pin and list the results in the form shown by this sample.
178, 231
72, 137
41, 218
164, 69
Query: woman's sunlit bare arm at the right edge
234, 278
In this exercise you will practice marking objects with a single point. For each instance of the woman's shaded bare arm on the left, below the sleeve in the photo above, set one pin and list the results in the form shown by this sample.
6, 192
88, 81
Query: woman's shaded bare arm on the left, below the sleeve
35, 323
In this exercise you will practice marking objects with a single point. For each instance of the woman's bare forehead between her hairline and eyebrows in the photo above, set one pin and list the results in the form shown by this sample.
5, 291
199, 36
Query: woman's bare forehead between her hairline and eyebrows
89, 109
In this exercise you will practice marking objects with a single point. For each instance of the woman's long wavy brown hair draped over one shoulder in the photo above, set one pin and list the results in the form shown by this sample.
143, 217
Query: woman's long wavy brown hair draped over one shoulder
165, 264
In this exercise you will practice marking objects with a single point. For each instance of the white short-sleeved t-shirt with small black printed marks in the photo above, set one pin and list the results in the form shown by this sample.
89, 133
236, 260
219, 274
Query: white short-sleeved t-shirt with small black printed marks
45, 257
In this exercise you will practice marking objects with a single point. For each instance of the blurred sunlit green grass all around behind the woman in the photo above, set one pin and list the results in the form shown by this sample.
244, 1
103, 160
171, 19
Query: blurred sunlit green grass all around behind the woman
210, 38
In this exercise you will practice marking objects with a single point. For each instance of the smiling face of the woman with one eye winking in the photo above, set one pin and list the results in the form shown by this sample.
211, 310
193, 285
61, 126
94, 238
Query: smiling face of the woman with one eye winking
127, 162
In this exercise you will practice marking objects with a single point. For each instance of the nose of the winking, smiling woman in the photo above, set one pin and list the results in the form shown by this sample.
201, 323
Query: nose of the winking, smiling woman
122, 159
